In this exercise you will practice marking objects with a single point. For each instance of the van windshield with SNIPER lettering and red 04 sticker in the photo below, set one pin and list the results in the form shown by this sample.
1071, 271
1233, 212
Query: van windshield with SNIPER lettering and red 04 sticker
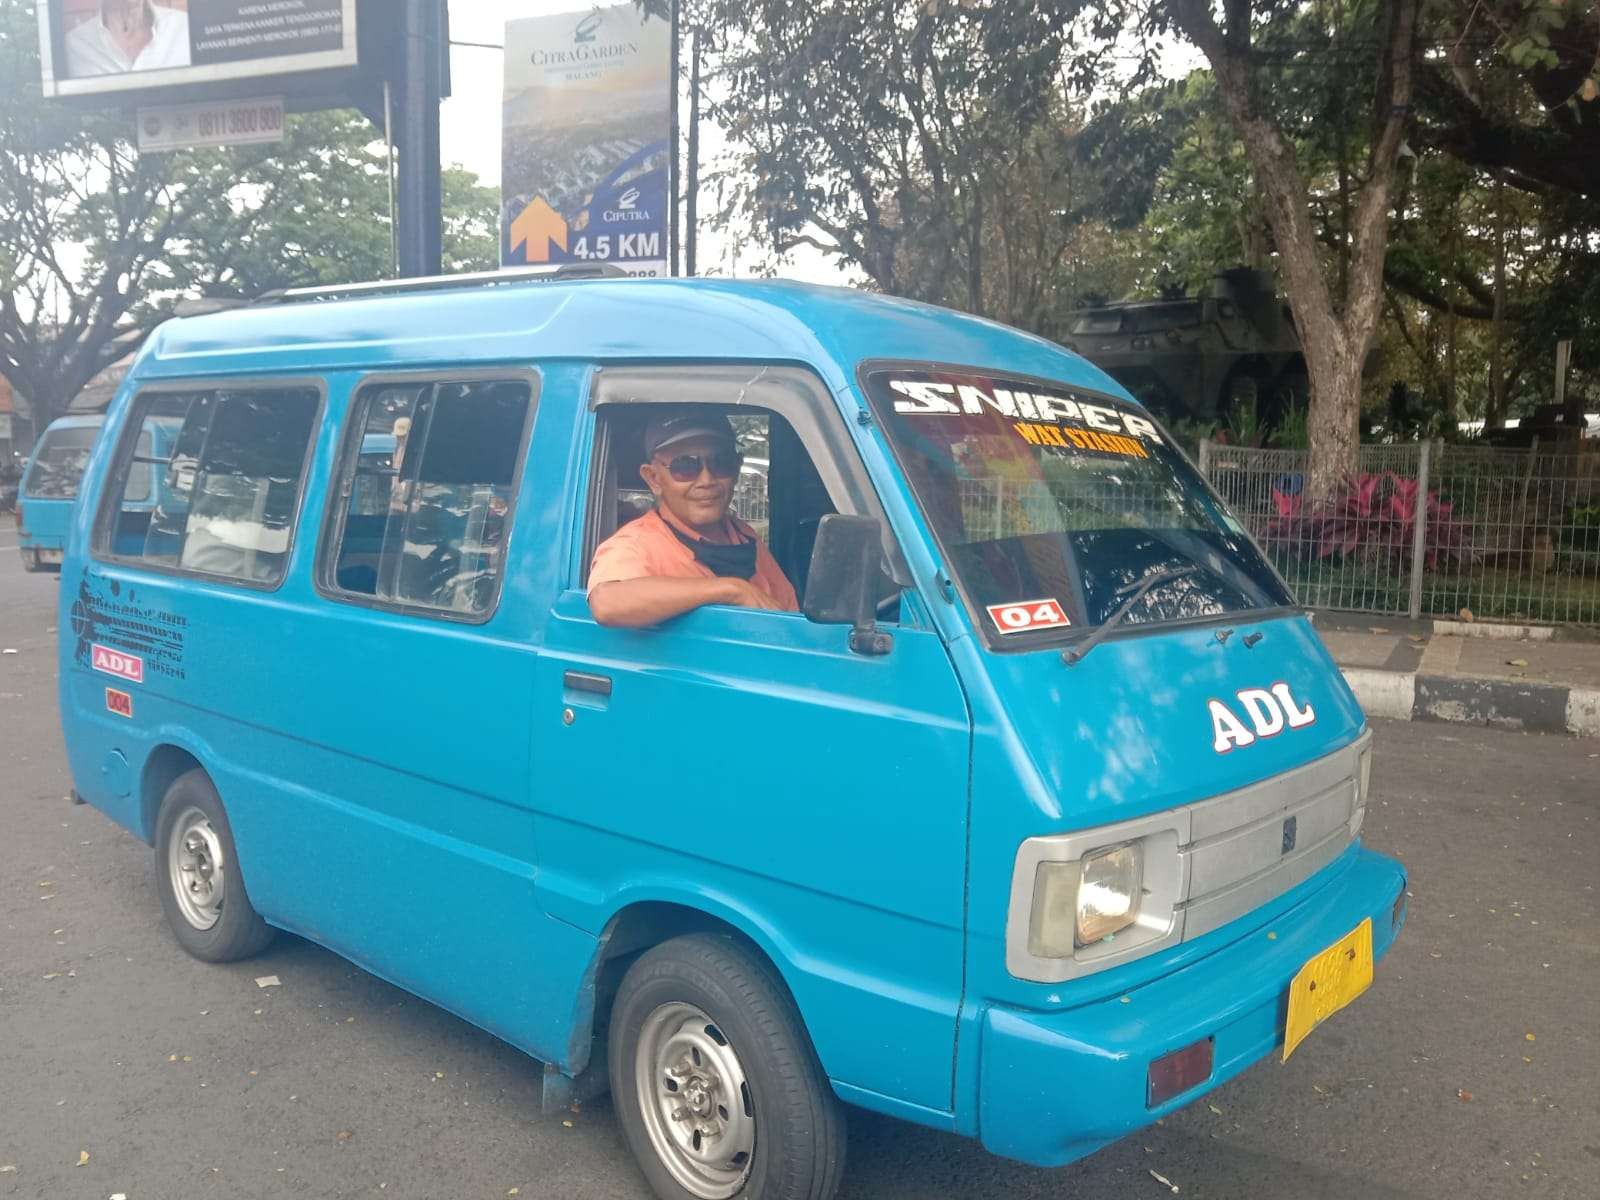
1054, 506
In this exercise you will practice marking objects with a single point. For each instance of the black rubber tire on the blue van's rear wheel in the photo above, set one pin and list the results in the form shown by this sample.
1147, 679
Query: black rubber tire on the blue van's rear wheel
238, 930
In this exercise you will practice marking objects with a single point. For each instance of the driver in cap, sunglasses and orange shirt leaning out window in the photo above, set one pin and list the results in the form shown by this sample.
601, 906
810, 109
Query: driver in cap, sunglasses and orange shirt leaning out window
687, 551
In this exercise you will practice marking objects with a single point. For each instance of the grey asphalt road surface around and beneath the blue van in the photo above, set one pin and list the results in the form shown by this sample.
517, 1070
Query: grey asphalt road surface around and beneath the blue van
1470, 1070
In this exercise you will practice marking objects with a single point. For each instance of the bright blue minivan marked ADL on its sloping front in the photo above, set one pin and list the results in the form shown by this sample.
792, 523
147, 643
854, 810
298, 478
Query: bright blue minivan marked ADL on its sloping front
1041, 820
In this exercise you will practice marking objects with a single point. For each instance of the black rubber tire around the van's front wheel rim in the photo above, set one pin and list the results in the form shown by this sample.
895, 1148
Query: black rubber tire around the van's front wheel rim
799, 1143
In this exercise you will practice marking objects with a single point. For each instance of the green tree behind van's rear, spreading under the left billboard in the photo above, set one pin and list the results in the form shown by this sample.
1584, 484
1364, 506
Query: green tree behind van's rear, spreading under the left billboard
98, 242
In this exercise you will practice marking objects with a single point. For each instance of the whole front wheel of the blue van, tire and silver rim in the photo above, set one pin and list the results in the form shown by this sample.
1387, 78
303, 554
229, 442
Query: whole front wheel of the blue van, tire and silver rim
714, 1079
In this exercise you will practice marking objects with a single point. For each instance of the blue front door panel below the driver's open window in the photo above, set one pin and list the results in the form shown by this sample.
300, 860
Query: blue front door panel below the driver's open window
750, 764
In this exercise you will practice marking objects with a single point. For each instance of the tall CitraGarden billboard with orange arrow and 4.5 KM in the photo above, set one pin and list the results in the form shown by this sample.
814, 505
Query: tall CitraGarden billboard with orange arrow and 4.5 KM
585, 167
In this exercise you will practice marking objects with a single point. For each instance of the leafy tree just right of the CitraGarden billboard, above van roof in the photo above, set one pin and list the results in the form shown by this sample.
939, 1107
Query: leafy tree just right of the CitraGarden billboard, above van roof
876, 129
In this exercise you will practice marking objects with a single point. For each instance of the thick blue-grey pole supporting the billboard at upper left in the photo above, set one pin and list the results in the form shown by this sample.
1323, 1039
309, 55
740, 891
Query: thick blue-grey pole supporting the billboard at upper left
422, 86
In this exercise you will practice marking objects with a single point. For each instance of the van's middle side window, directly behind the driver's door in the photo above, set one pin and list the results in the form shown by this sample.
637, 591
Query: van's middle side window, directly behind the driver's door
426, 494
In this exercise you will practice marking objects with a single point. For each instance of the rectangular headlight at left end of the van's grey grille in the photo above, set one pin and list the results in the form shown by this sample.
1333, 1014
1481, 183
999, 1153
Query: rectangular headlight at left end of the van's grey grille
1087, 902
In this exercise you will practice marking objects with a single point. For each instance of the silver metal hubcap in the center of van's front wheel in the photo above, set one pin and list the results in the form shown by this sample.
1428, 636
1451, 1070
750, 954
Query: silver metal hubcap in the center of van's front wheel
695, 1102
